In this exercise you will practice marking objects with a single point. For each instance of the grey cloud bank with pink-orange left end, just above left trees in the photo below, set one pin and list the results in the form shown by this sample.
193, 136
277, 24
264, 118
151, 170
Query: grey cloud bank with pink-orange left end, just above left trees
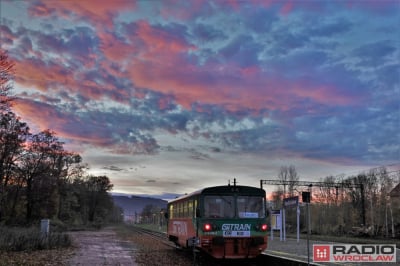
89, 128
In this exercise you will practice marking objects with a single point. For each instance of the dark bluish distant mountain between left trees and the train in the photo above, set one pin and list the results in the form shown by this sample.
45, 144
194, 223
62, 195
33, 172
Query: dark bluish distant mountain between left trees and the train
133, 205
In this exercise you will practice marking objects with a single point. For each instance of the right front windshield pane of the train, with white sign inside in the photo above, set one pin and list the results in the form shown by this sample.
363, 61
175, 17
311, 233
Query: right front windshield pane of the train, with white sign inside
250, 207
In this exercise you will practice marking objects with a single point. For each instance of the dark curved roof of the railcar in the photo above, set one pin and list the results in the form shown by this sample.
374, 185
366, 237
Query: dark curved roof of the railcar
221, 190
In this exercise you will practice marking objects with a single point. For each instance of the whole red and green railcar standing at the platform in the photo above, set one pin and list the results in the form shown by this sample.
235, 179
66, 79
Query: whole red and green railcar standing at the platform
224, 221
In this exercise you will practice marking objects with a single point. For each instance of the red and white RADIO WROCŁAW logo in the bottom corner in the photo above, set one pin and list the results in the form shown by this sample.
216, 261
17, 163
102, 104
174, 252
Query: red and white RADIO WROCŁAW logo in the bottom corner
354, 253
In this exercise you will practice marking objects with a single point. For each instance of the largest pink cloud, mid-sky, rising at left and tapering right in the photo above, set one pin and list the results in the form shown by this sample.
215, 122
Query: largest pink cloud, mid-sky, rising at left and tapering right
160, 65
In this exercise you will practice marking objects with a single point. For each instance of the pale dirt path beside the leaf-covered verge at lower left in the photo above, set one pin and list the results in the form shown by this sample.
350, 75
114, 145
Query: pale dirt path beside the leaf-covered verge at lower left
100, 248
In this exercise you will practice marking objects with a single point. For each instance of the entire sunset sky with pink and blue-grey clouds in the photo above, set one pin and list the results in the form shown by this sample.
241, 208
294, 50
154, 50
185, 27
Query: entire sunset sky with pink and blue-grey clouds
166, 97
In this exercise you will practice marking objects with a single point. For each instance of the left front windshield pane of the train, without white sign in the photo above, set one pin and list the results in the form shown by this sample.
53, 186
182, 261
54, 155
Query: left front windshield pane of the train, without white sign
219, 207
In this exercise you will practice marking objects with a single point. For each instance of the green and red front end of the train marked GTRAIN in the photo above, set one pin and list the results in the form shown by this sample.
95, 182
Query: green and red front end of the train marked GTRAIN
233, 223
